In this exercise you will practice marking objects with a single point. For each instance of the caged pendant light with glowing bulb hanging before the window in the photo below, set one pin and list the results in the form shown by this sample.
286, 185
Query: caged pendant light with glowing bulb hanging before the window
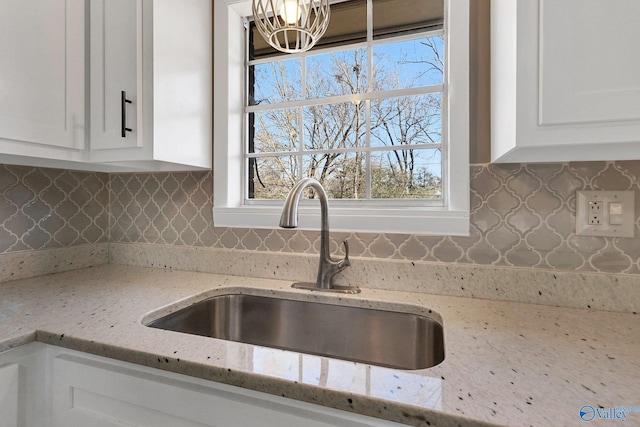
291, 26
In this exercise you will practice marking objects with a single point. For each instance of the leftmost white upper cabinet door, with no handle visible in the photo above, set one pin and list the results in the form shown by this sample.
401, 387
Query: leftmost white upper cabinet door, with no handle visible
42, 76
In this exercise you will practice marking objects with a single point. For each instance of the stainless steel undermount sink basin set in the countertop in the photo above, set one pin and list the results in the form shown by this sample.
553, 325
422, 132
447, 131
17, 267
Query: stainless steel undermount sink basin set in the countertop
377, 337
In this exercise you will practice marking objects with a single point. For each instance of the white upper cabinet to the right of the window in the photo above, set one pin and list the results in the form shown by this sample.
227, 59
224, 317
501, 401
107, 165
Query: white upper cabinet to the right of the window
565, 80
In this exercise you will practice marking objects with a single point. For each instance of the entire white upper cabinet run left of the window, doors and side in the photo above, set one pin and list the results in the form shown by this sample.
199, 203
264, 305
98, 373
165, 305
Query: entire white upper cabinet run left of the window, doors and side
106, 85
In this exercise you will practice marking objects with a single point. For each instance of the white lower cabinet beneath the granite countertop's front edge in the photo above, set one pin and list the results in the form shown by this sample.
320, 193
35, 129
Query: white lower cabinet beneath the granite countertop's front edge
85, 390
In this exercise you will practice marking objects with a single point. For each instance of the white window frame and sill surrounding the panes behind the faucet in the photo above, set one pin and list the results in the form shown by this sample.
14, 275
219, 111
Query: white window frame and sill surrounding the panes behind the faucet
229, 208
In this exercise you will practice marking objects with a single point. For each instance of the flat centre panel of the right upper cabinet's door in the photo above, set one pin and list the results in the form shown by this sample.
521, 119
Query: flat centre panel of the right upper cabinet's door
589, 61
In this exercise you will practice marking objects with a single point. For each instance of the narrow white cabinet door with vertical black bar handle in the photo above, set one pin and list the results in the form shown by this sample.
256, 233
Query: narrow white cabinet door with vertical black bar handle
116, 34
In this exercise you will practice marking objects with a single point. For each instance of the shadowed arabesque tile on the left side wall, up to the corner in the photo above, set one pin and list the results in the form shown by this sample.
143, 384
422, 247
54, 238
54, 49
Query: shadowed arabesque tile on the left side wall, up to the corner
44, 208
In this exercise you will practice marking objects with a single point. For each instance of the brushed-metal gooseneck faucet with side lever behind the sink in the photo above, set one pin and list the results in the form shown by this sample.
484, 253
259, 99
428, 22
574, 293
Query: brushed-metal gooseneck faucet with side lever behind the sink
328, 267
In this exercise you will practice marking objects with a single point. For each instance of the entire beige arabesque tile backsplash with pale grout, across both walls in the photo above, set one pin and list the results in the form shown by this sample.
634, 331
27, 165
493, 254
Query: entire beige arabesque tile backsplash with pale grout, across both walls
521, 215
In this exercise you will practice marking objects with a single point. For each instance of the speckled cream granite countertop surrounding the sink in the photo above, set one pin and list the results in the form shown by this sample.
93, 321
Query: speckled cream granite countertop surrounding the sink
506, 363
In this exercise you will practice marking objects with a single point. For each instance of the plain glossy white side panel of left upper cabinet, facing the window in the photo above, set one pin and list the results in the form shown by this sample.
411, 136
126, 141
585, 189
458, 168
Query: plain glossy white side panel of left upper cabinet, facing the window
183, 79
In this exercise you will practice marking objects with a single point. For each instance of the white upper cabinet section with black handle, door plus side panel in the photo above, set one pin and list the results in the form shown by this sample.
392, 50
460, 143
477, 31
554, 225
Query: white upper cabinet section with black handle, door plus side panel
151, 84
